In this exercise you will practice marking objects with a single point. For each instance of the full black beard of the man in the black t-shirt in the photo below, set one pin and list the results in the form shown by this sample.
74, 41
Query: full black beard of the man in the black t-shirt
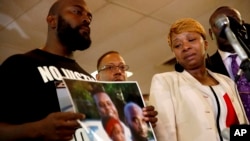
71, 37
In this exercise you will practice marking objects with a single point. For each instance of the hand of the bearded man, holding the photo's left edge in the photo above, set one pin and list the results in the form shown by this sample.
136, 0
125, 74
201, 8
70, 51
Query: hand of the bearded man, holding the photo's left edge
60, 126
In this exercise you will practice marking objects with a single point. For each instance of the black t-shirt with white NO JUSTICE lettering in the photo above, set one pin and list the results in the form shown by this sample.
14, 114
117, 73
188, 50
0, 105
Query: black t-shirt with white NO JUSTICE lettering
27, 80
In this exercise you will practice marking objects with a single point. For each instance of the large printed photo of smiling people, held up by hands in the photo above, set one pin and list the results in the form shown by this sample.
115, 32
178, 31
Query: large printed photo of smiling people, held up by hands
113, 110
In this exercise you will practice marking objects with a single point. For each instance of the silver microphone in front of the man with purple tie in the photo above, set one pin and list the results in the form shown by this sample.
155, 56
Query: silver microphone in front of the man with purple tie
222, 23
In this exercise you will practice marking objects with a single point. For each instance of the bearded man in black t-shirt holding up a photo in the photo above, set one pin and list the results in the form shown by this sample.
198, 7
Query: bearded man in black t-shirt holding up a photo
29, 106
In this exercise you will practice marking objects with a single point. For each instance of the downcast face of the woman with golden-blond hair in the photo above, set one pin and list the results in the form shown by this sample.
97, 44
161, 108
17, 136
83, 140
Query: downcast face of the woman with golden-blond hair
189, 49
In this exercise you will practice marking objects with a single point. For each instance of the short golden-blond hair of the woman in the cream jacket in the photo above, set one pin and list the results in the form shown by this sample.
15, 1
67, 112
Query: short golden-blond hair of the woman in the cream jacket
186, 25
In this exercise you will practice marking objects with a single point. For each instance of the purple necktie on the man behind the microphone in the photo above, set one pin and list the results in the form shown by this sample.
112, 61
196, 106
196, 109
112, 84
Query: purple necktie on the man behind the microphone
243, 86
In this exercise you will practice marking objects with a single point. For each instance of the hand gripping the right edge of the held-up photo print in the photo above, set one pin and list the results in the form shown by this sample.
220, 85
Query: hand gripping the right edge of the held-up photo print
150, 115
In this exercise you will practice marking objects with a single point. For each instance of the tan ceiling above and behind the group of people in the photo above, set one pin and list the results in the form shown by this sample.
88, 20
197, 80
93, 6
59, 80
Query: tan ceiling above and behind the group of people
136, 28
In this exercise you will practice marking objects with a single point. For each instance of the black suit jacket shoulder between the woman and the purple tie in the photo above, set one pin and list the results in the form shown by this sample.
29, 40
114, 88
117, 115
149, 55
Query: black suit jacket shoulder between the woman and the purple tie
215, 64
